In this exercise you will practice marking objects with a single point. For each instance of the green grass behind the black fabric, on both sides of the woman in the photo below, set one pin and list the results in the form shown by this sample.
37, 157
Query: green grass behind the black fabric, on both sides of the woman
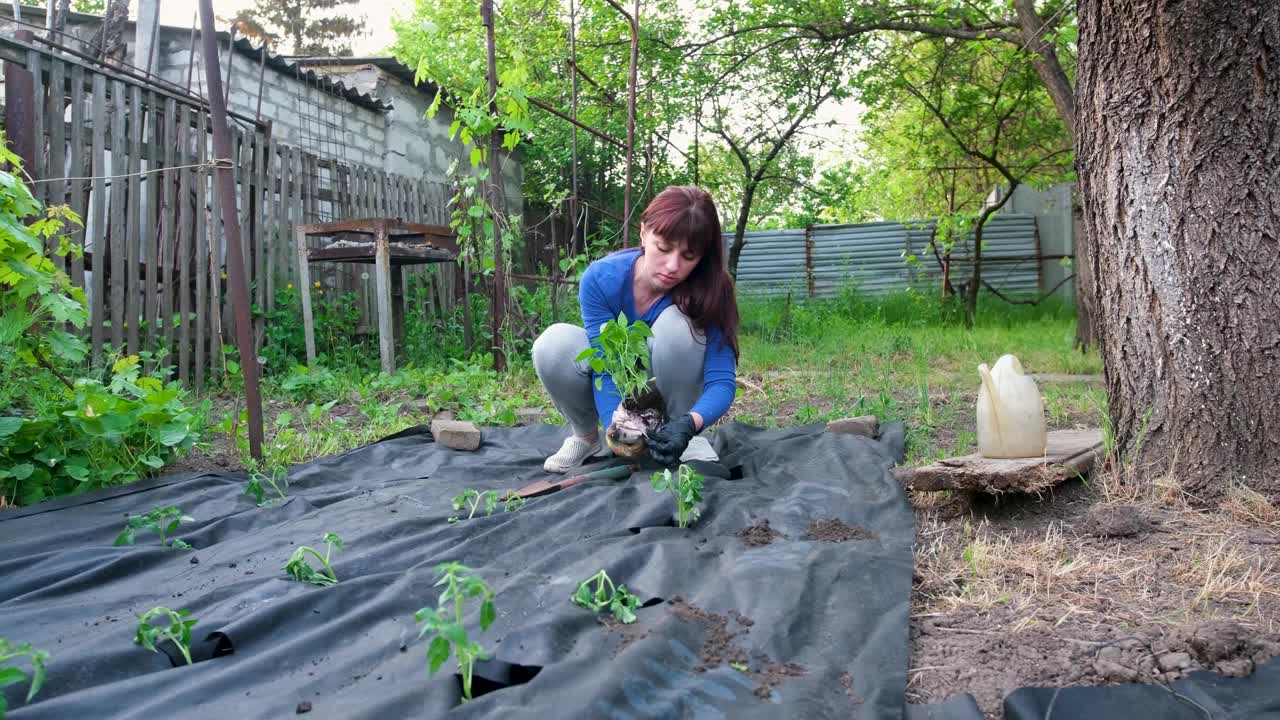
904, 357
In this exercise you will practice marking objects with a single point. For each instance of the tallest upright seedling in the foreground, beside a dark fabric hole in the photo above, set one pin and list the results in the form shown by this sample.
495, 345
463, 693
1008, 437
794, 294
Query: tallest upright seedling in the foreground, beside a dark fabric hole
460, 584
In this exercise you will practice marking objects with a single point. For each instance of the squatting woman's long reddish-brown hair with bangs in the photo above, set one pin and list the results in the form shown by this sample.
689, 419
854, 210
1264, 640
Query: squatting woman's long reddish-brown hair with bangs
687, 215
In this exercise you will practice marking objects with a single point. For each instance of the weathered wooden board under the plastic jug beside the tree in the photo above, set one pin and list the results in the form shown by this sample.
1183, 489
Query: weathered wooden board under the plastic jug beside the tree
1069, 454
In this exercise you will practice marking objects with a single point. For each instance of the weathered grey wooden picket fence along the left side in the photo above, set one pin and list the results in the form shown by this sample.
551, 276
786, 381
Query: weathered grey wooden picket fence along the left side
135, 161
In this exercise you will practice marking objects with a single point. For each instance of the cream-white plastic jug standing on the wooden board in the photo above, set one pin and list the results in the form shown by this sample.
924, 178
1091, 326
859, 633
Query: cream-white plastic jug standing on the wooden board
1011, 412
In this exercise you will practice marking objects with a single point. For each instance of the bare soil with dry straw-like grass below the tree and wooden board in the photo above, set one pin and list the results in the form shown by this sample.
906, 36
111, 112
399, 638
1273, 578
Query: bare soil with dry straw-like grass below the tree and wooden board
1091, 585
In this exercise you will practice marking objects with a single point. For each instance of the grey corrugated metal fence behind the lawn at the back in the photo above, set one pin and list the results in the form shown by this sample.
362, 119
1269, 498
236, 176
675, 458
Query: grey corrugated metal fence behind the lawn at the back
820, 261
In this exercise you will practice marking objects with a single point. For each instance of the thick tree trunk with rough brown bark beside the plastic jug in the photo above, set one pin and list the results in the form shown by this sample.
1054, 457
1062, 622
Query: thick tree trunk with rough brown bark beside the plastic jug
1178, 153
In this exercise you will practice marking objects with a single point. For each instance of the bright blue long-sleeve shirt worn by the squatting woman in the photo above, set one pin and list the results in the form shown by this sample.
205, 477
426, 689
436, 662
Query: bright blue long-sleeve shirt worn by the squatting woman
606, 291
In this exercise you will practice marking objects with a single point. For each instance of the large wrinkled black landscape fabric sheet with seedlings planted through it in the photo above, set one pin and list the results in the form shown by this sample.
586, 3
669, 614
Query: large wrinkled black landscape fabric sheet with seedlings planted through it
764, 626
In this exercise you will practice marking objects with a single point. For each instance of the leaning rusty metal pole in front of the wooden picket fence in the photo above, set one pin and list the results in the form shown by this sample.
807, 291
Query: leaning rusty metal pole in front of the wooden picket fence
231, 227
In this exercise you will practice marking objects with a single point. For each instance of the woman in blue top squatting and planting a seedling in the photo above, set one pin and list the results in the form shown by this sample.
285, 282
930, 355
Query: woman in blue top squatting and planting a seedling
678, 284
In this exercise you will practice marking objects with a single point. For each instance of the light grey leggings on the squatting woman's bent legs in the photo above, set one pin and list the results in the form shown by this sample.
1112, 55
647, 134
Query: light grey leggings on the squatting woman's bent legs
676, 356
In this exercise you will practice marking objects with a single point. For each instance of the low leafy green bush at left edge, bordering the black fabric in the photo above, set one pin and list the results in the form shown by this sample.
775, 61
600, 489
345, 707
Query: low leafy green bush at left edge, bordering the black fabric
102, 436
